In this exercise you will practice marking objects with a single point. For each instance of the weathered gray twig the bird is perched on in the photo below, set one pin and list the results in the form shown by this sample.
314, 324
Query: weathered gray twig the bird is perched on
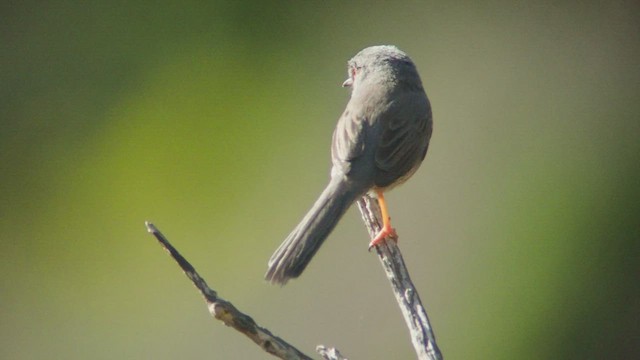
422, 336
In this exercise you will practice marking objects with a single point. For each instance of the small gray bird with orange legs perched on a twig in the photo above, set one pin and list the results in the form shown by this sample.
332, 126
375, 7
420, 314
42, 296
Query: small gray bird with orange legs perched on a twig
379, 142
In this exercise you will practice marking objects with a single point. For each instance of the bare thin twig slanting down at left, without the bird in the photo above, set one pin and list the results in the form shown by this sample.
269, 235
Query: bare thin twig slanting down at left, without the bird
226, 312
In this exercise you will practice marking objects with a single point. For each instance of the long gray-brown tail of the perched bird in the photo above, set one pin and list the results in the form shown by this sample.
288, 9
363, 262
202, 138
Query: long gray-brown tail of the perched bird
295, 253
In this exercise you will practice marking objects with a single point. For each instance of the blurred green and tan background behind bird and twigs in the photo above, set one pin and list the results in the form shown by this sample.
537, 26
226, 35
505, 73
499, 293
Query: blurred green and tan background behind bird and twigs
213, 120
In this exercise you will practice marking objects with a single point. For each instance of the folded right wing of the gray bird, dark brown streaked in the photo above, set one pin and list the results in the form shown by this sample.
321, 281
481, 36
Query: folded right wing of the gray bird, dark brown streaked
406, 129
